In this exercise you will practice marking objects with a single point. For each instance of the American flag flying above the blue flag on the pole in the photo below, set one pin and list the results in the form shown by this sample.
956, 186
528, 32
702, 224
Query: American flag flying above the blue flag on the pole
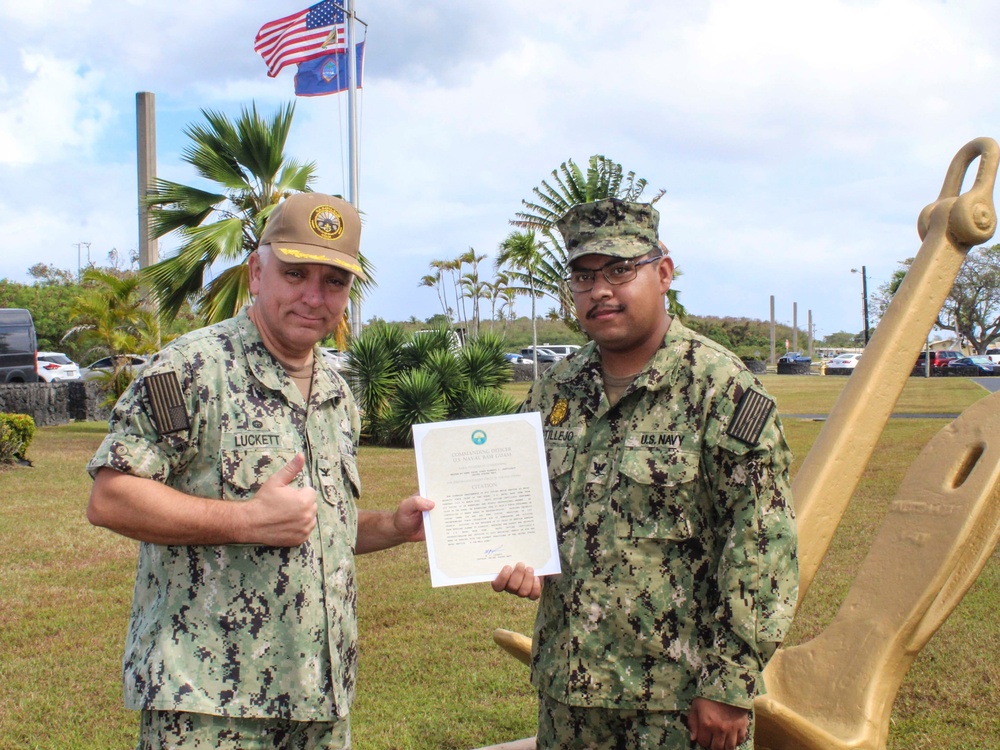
302, 36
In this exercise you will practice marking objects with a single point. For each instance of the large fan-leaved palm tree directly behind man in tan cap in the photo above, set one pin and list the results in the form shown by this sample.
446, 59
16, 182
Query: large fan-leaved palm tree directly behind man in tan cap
245, 160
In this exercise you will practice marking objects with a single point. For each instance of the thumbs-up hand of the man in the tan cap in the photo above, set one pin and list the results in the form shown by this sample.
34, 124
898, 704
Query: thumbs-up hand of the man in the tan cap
281, 515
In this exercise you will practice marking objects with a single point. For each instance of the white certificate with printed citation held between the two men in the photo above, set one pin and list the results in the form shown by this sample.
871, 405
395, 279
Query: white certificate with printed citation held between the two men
489, 482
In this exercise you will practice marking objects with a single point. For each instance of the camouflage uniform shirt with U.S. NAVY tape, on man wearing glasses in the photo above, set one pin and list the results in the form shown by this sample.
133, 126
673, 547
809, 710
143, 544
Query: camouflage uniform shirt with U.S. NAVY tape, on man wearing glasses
676, 531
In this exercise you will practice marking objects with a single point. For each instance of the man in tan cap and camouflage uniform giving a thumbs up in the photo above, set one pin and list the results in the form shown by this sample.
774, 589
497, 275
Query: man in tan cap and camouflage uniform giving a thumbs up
232, 459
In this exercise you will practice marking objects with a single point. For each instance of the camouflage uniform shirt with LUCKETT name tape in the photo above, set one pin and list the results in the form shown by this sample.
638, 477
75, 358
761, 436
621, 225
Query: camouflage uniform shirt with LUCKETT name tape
240, 630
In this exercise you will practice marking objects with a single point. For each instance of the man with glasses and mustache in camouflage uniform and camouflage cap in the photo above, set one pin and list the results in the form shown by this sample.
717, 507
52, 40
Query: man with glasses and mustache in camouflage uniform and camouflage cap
677, 539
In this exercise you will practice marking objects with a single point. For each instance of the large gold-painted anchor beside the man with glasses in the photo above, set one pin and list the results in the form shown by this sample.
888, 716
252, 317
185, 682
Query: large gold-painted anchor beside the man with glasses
835, 692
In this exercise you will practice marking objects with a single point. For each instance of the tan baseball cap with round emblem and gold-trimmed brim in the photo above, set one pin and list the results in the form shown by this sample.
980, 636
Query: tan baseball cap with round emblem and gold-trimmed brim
315, 228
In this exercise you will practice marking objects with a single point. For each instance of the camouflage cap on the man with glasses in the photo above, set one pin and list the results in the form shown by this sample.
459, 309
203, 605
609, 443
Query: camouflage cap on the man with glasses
609, 227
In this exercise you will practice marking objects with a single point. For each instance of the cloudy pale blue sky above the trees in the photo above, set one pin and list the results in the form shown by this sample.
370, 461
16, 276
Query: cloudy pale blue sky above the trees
795, 140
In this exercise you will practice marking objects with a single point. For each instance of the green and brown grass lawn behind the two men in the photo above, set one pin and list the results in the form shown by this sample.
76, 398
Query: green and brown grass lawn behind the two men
430, 675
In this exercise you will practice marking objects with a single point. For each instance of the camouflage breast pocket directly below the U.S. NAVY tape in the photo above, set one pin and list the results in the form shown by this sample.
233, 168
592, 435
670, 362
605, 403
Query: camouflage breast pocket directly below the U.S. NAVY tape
658, 495
